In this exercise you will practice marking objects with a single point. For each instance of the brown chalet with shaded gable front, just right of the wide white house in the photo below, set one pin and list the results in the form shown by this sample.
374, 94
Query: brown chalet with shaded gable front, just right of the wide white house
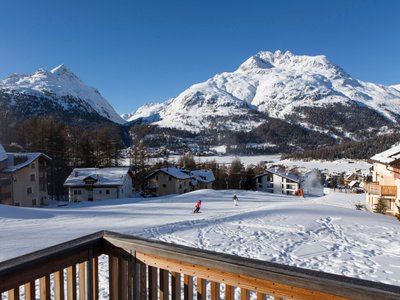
167, 181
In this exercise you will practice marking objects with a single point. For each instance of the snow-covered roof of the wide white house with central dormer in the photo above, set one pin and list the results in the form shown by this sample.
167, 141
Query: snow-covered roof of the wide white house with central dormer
102, 176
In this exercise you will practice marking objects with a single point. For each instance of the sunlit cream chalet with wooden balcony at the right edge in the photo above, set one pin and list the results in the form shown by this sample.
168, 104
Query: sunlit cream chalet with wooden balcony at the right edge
385, 181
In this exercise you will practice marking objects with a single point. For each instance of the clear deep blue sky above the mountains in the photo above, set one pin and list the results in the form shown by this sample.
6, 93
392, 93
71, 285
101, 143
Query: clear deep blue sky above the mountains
136, 52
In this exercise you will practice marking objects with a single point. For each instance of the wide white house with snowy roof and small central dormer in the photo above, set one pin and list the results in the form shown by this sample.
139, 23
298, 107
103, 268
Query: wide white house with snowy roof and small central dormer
92, 184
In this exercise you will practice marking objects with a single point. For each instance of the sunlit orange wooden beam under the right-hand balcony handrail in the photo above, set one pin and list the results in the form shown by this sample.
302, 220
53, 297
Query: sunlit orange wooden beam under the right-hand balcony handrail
234, 279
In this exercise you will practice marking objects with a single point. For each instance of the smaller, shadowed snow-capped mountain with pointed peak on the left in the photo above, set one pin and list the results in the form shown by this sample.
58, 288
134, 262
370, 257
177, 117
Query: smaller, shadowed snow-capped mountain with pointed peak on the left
58, 90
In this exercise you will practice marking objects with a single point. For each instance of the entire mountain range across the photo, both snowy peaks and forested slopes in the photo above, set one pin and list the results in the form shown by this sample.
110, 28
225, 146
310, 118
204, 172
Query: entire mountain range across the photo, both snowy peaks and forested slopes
274, 101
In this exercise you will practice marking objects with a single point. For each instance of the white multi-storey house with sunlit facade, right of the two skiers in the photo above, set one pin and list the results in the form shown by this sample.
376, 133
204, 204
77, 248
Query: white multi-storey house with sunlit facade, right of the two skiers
278, 181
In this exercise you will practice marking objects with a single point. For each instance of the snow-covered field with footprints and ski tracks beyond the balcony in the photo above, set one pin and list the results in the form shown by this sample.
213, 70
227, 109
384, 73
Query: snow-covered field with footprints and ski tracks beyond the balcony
324, 233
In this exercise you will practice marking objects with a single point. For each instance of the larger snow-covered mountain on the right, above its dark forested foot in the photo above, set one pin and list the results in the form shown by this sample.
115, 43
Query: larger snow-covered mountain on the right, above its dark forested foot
278, 85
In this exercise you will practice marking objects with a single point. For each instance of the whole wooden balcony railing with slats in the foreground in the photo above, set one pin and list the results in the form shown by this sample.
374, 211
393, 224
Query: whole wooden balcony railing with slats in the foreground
144, 269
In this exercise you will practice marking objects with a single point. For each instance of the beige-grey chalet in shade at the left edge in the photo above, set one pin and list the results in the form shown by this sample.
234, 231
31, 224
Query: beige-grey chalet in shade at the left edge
23, 178
